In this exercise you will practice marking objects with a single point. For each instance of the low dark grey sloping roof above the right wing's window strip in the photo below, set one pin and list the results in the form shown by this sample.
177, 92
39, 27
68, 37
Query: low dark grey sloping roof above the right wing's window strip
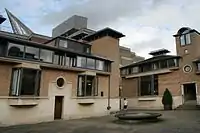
153, 59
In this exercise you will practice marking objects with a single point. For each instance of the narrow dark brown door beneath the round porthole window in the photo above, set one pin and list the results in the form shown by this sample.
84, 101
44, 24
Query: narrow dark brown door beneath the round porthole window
58, 107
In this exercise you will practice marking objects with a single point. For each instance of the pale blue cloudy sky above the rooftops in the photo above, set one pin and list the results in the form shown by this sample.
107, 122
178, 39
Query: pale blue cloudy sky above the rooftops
147, 24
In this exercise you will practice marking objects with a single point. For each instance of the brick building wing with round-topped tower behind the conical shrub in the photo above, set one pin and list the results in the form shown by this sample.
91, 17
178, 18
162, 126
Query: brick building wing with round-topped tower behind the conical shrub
144, 82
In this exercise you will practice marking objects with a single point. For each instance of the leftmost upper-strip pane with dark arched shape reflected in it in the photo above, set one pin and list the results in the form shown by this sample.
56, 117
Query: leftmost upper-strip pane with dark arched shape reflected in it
15, 50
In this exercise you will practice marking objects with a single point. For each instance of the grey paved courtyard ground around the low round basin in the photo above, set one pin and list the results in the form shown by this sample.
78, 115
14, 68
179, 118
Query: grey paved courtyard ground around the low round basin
171, 122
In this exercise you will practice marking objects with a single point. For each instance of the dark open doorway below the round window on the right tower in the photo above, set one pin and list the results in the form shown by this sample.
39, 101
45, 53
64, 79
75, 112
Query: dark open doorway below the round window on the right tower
189, 91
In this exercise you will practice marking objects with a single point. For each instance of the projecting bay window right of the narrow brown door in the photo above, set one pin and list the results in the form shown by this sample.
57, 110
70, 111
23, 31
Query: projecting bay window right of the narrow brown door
87, 85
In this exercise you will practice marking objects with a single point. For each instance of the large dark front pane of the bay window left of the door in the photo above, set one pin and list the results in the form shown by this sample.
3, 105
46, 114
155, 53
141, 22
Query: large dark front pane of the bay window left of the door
28, 84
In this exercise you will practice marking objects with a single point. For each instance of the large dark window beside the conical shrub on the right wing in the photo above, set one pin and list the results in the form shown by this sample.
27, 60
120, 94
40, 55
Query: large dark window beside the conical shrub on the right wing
148, 85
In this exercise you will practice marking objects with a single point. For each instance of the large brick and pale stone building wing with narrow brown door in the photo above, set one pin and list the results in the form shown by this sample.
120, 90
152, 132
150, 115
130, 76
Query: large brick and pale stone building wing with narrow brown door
46, 78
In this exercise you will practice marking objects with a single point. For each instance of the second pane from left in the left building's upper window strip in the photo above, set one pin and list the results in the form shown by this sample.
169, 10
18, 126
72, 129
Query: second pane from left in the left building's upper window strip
32, 53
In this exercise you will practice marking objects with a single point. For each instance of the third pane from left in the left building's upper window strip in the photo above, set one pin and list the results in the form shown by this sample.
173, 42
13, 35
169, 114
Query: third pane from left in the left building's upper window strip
46, 55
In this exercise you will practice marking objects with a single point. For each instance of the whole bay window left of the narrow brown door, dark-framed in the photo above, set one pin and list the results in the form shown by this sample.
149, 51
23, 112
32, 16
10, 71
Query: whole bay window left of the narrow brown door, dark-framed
25, 82
